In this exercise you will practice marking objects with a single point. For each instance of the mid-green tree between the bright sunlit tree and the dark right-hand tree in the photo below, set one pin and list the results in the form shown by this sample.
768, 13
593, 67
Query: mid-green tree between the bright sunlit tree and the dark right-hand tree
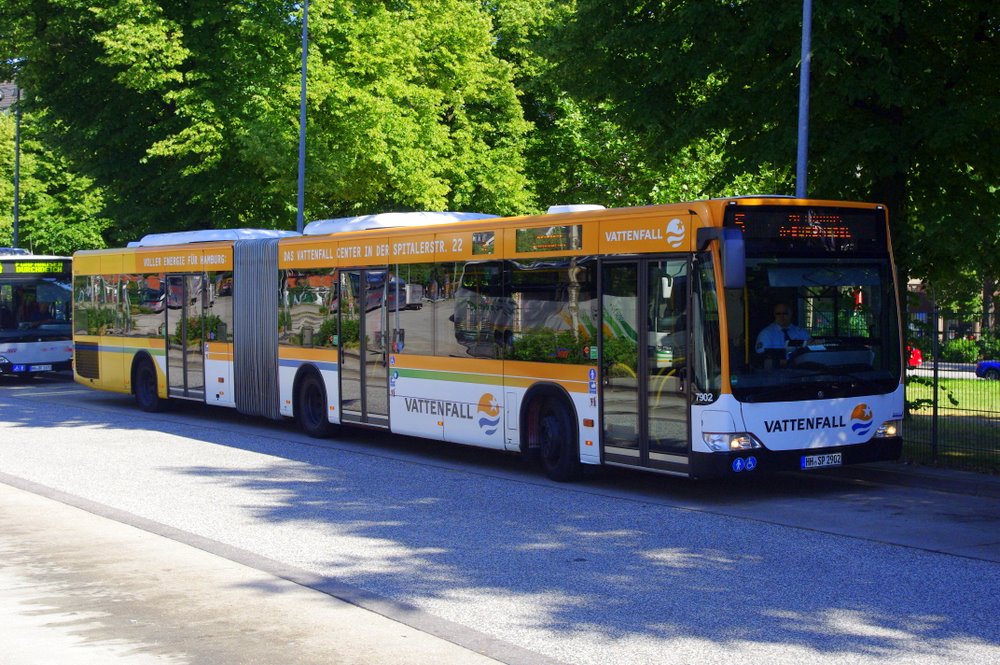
579, 150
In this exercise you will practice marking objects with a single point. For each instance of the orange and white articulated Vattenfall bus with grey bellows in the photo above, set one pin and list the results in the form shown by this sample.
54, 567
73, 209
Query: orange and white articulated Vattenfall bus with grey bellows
713, 338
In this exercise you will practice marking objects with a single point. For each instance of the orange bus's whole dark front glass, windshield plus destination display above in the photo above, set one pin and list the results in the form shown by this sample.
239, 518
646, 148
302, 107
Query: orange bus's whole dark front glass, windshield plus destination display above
817, 318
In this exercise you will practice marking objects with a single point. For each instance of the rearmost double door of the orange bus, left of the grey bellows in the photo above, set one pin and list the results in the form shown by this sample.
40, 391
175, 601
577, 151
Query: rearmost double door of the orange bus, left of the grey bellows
184, 307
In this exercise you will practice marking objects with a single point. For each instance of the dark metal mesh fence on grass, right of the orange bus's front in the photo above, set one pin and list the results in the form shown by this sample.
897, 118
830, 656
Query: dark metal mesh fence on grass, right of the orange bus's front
953, 415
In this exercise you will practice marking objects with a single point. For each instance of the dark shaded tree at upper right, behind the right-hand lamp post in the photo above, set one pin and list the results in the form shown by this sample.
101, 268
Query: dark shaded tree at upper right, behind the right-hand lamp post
902, 104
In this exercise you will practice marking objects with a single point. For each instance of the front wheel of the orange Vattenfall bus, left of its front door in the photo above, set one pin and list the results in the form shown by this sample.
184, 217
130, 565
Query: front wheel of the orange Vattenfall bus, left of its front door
550, 428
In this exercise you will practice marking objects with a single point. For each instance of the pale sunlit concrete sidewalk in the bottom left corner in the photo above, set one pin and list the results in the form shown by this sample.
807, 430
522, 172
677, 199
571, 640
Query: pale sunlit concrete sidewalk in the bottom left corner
77, 588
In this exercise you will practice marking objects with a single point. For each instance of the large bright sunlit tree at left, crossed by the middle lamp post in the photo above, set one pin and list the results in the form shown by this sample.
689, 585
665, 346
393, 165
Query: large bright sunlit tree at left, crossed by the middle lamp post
186, 114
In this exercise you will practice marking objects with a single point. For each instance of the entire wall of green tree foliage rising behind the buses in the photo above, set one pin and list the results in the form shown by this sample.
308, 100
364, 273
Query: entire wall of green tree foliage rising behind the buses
150, 115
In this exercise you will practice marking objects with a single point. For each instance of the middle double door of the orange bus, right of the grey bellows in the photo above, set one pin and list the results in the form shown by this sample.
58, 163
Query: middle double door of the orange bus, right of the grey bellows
364, 385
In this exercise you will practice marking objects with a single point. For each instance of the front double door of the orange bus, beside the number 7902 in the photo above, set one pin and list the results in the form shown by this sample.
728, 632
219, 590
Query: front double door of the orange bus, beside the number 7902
645, 410
